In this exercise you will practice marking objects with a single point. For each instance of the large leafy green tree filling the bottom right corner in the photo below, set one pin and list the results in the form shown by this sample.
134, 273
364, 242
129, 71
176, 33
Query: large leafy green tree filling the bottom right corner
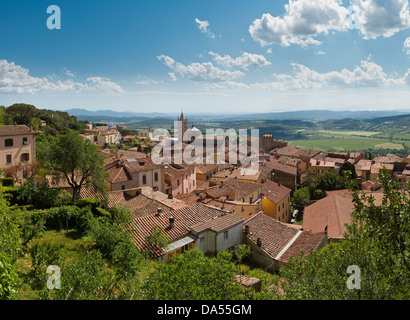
377, 241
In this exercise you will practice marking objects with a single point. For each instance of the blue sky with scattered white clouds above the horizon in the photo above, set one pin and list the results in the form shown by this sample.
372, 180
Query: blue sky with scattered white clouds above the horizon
207, 56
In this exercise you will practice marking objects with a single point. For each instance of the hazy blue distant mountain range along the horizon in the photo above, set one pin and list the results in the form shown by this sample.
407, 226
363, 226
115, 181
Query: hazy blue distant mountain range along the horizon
106, 115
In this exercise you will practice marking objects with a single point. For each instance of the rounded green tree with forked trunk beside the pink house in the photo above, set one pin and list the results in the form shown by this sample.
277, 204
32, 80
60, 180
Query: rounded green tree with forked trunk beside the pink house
76, 161
